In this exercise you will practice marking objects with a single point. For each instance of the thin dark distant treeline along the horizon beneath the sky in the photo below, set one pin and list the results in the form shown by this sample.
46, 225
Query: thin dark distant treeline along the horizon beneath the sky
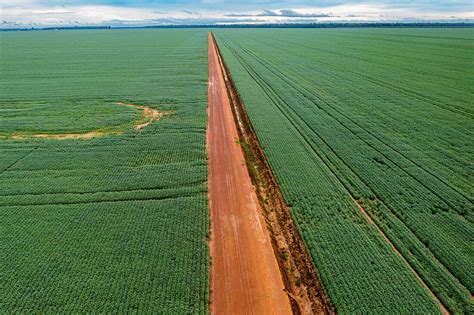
272, 25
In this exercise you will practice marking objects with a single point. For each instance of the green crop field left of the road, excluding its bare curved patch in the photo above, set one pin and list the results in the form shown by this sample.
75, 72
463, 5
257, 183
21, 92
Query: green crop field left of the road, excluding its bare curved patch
114, 224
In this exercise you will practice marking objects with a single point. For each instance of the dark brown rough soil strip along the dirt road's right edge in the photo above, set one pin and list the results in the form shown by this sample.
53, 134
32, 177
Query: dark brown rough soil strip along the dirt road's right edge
300, 276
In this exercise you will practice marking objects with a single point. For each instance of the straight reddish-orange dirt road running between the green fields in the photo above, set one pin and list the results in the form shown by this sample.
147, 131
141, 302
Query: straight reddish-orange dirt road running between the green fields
245, 278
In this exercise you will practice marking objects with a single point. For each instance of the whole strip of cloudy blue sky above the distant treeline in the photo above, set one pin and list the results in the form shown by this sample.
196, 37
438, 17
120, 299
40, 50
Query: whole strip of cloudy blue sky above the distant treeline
40, 13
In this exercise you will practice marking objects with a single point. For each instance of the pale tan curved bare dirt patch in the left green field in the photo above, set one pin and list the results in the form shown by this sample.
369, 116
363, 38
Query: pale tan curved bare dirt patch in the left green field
149, 115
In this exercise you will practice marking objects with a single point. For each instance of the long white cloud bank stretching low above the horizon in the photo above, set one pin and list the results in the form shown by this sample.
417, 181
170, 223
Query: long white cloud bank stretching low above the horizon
31, 12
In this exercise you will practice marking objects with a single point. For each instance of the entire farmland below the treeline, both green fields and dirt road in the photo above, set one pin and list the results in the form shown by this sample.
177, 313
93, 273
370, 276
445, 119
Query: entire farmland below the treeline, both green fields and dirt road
117, 190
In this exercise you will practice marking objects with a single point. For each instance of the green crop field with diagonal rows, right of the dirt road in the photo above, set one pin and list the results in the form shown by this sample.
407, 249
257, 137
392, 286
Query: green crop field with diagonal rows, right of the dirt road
373, 119
